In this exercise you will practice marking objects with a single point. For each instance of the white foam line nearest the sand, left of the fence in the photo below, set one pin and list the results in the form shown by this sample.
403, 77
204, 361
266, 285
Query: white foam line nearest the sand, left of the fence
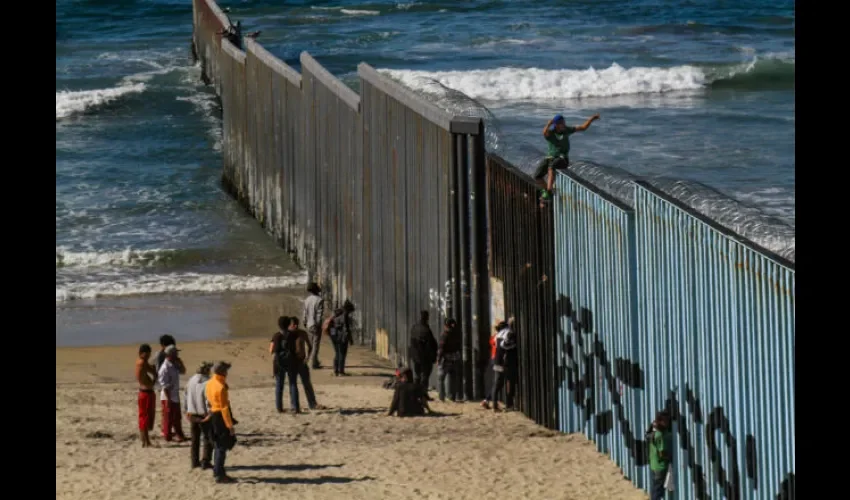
149, 284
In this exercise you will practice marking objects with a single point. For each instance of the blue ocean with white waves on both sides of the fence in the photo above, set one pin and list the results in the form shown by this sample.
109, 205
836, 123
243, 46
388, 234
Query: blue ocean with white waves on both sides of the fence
701, 91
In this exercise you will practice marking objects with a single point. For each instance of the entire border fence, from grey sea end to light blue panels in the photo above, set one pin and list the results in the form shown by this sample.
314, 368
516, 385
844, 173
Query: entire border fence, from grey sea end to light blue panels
622, 309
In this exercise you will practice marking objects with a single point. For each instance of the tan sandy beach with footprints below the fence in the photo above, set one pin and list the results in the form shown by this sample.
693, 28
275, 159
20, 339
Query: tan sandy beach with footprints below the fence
349, 451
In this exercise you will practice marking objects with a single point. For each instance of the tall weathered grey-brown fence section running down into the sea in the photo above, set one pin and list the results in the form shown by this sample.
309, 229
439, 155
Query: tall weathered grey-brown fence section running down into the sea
364, 195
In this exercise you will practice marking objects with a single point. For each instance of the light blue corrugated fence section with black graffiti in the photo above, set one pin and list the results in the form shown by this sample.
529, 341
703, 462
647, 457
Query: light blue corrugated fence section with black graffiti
661, 308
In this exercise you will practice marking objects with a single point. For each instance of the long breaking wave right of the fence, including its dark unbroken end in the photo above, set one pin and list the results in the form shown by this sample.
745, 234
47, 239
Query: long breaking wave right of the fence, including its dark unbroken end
532, 84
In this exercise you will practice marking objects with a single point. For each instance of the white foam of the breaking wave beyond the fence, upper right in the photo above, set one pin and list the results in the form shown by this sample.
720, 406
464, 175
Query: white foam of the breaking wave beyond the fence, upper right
541, 84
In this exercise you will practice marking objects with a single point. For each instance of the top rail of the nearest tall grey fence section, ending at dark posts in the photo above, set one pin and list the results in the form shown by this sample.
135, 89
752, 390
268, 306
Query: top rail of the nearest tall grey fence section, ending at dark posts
432, 113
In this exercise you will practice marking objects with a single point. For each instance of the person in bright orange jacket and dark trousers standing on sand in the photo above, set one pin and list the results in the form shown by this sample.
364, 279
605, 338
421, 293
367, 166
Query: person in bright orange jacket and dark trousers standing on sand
221, 419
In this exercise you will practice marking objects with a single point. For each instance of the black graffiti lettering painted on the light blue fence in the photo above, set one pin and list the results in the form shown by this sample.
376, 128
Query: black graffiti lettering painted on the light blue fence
582, 383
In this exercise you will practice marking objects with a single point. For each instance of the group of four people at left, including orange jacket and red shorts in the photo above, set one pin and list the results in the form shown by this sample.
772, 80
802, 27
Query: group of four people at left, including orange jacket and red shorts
206, 405
